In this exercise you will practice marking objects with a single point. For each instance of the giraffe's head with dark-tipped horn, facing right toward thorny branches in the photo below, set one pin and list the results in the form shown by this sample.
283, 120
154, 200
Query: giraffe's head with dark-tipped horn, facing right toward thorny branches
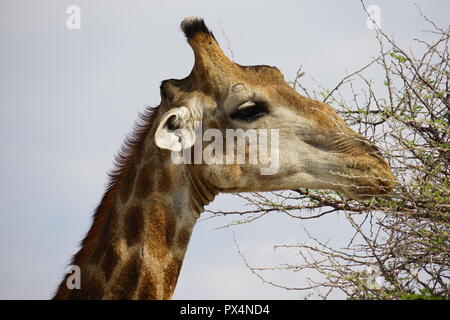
313, 148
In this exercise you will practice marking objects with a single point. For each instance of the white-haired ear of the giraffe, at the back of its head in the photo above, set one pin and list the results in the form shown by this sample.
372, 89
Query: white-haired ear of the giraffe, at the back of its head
175, 131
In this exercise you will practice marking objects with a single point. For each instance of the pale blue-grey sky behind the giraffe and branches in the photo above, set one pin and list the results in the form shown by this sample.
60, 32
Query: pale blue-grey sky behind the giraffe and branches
68, 98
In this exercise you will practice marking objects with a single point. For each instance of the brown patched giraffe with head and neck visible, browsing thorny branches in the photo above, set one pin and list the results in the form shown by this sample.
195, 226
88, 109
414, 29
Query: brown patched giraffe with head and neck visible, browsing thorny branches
142, 226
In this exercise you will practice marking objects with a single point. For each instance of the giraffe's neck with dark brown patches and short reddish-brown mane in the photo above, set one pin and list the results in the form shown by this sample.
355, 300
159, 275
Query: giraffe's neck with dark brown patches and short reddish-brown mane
139, 246
